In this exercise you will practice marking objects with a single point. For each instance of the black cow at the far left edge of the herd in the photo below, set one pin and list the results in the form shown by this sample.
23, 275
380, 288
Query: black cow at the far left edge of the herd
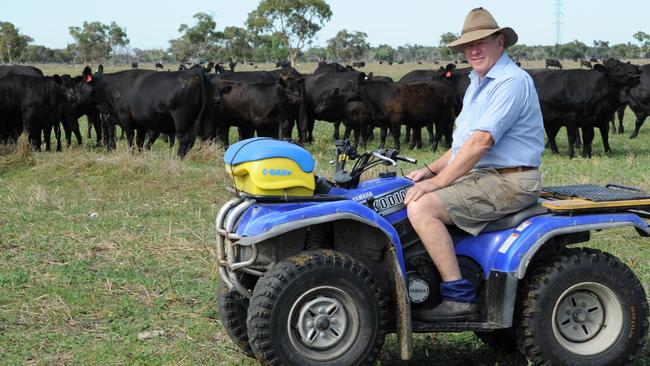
35, 102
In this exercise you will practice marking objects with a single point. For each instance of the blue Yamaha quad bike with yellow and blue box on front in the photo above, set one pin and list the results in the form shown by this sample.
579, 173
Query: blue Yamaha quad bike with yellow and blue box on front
316, 272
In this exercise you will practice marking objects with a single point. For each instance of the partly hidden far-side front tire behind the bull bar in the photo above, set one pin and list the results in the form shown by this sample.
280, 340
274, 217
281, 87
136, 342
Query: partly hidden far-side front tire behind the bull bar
232, 312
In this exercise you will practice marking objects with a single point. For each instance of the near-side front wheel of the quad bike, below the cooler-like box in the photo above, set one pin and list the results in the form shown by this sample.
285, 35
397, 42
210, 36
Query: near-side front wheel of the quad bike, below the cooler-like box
306, 296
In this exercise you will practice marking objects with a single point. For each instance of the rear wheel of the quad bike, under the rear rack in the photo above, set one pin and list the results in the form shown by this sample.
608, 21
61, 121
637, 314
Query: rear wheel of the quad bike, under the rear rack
564, 305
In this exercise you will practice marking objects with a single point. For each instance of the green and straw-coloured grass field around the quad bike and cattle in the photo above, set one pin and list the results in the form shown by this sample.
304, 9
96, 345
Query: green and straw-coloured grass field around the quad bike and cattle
108, 258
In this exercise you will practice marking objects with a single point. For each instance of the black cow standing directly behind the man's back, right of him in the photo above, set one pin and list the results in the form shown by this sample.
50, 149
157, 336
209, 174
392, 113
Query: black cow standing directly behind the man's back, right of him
582, 98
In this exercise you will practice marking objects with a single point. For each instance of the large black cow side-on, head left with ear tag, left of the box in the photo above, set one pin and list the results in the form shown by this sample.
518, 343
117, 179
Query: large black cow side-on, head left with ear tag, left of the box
179, 102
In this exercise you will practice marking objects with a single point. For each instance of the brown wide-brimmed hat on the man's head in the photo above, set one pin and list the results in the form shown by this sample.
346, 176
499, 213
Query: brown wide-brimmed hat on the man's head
479, 23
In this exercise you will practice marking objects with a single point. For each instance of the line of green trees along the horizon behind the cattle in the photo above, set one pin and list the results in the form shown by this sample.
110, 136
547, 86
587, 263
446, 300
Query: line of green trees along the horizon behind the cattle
275, 30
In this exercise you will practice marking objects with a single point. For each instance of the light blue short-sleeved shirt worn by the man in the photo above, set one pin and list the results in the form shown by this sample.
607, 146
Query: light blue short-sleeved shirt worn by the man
506, 105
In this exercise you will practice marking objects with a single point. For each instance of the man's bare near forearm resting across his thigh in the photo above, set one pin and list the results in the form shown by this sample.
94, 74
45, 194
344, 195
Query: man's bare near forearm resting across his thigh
468, 155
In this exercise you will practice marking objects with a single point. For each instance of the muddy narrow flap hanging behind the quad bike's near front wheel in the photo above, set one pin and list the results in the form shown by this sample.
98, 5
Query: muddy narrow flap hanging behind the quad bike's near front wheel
402, 310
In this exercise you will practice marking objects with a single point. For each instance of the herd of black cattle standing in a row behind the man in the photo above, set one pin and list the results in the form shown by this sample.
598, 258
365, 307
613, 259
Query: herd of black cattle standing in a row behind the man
188, 103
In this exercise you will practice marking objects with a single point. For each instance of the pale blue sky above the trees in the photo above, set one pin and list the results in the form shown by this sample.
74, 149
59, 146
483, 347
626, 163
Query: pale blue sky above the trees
152, 23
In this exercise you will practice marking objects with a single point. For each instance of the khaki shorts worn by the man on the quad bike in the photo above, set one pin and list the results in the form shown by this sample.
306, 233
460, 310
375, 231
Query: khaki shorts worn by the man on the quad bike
485, 195
